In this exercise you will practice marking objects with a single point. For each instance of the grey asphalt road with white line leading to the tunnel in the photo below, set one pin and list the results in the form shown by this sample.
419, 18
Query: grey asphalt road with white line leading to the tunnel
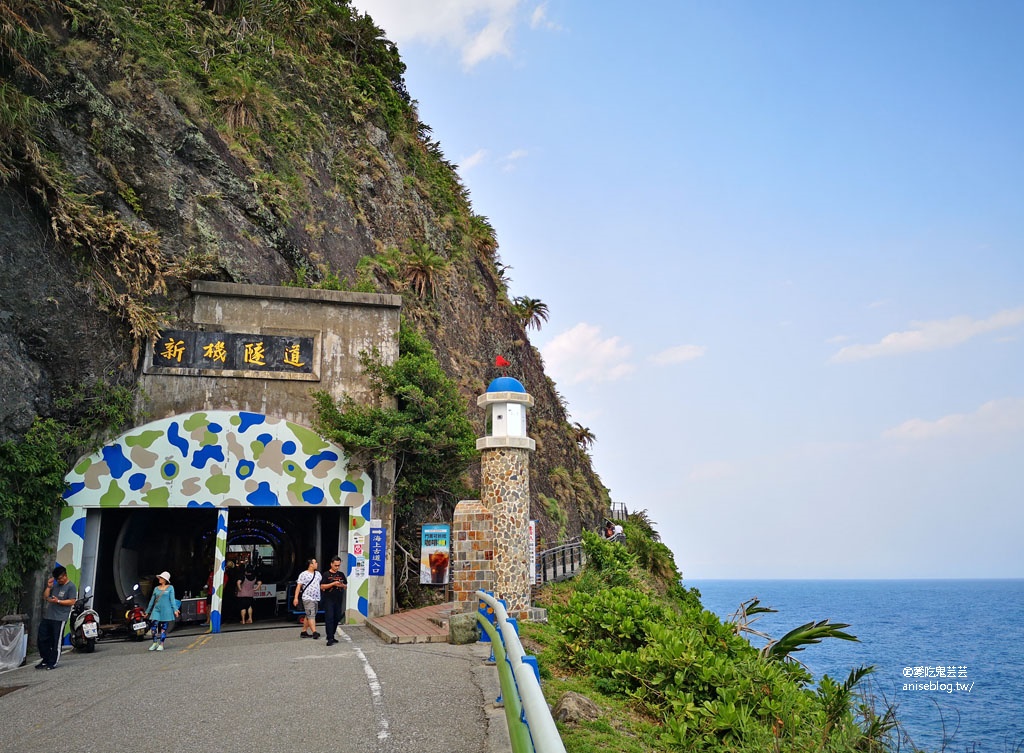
259, 692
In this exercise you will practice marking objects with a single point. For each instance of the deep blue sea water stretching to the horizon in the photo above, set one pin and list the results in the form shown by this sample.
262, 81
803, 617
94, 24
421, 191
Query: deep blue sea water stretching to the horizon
909, 630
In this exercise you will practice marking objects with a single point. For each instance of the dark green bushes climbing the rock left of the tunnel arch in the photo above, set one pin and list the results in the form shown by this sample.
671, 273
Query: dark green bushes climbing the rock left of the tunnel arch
33, 470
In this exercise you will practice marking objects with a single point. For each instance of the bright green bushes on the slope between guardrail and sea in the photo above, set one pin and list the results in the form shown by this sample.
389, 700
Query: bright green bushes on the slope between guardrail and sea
677, 678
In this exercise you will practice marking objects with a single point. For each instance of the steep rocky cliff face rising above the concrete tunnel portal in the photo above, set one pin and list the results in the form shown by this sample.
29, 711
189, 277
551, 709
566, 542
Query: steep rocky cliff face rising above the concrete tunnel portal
150, 147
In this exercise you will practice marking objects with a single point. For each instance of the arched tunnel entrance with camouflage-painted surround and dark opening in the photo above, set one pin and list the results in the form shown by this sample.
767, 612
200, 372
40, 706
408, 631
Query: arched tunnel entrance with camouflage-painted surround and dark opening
203, 491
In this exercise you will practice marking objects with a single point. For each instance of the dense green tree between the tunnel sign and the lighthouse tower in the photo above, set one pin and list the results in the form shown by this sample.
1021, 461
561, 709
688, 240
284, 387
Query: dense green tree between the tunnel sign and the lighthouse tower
419, 421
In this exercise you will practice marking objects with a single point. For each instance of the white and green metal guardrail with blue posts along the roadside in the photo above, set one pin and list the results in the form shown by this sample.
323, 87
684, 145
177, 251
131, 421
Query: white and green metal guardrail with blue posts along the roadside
531, 728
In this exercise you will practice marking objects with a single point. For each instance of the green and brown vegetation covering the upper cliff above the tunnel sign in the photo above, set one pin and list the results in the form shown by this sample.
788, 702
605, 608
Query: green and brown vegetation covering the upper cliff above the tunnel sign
304, 94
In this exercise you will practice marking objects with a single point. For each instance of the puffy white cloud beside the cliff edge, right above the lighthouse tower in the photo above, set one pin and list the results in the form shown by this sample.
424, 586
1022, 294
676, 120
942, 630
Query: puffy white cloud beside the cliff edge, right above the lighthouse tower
582, 355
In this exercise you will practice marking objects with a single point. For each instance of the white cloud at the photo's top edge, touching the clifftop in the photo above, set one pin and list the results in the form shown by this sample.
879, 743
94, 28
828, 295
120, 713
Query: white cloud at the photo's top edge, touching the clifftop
478, 29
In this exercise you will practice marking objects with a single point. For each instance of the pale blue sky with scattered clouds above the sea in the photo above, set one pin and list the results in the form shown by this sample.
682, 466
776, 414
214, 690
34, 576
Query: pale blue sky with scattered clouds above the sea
783, 249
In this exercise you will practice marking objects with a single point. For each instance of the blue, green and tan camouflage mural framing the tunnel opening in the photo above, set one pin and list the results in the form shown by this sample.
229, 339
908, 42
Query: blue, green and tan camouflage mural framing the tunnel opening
220, 459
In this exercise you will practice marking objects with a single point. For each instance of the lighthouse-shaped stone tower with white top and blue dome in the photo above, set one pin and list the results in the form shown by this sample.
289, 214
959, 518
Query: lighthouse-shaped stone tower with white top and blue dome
505, 489
